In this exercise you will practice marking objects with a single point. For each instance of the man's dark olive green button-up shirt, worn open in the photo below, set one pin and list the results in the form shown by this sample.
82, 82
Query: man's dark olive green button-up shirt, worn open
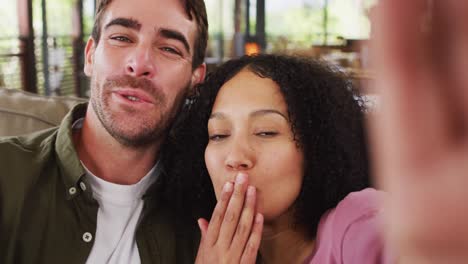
48, 215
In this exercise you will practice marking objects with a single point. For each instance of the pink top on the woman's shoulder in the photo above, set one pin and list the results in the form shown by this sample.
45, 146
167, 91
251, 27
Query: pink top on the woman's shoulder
349, 233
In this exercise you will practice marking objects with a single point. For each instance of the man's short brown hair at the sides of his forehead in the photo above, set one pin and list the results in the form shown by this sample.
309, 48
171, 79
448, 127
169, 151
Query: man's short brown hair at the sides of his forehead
194, 8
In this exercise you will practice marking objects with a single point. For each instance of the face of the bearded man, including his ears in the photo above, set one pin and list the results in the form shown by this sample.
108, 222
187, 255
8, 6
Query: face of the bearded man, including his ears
141, 68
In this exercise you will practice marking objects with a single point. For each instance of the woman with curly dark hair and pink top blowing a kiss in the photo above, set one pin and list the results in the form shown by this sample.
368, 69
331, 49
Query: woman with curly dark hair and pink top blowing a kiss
292, 129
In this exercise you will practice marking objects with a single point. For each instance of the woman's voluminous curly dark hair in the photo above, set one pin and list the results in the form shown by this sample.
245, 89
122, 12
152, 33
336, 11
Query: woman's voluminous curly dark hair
327, 120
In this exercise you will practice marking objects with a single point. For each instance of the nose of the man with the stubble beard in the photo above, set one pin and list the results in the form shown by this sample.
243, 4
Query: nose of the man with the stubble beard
141, 62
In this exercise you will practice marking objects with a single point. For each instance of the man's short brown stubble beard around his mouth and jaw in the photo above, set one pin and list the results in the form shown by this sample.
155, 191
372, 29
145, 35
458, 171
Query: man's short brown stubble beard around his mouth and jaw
150, 131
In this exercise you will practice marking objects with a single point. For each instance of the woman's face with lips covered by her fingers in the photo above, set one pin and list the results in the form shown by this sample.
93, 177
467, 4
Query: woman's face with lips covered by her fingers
249, 132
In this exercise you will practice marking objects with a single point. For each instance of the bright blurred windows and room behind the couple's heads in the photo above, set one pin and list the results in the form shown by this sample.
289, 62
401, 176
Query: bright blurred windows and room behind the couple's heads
48, 59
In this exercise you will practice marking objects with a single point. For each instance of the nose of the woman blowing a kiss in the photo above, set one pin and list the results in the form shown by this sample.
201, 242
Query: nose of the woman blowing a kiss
241, 157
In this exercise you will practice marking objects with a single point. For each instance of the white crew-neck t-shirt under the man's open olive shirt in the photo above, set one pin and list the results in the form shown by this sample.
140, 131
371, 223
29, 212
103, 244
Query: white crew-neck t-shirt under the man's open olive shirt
119, 212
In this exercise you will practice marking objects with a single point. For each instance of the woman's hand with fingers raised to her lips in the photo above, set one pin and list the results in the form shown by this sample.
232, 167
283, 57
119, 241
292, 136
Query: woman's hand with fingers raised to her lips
234, 232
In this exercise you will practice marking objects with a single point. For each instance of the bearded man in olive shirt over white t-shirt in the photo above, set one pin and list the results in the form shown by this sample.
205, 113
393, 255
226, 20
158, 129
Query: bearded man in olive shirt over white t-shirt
92, 190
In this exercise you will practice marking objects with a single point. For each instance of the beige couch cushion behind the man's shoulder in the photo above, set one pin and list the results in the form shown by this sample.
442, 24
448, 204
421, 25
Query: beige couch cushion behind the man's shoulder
22, 112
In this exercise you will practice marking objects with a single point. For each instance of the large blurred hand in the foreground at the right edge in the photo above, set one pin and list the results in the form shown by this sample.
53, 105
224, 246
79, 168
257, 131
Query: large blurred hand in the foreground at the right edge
419, 135
